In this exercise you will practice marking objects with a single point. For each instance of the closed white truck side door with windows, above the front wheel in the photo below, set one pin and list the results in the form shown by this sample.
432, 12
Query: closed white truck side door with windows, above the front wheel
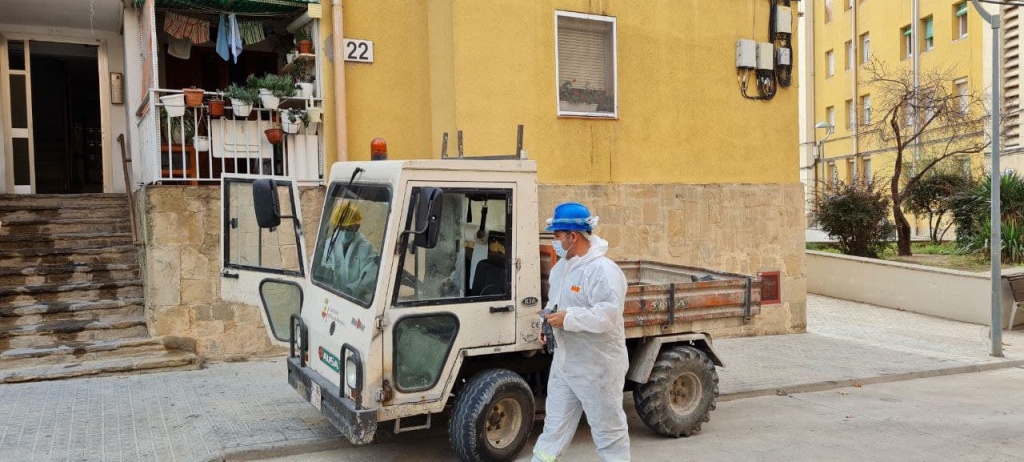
455, 297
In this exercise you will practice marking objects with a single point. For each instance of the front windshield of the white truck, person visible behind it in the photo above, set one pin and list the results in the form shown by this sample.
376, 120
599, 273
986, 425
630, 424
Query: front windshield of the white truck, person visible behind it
349, 244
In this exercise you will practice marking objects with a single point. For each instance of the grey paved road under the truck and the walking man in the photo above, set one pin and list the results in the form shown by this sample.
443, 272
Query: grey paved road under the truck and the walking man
970, 417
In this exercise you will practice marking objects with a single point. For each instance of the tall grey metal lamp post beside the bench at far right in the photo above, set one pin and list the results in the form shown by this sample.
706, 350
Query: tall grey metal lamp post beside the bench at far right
996, 240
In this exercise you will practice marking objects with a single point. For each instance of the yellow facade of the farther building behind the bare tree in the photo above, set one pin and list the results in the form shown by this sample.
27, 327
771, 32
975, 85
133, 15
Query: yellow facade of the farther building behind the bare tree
884, 22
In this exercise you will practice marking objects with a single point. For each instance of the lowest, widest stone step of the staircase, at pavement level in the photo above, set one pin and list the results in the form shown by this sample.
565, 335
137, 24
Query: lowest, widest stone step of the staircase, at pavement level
153, 362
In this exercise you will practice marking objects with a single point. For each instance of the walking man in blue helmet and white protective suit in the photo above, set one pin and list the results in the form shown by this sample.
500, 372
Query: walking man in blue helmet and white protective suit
588, 293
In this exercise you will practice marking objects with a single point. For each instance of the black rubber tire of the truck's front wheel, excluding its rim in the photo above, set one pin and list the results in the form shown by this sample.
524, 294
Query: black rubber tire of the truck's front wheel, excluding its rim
466, 428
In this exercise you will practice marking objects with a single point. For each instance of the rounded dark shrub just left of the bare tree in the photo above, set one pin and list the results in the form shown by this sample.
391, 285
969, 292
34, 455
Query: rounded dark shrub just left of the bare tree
858, 218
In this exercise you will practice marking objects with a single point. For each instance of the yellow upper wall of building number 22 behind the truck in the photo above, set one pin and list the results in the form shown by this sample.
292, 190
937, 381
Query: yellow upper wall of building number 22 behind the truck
486, 67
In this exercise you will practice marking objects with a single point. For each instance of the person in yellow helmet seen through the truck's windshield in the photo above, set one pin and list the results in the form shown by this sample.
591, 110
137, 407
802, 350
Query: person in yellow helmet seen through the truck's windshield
354, 259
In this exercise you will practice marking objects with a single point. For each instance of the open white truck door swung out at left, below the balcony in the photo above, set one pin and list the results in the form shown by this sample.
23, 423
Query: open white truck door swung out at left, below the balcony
265, 268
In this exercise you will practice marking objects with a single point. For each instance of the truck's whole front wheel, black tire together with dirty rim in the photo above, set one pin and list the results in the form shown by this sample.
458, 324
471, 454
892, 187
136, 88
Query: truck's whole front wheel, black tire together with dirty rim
493, 417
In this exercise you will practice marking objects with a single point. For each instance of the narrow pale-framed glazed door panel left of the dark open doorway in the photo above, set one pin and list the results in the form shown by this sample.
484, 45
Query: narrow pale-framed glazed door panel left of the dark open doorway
17, 91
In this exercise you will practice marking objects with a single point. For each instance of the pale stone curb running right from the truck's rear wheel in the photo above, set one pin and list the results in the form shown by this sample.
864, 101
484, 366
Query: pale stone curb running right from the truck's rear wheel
832, 385
